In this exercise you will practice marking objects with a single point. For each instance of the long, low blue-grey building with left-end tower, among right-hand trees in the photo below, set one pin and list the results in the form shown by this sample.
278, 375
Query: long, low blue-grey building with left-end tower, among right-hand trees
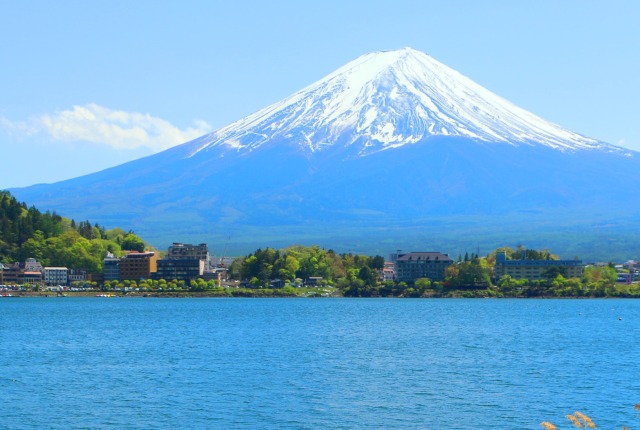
535, 269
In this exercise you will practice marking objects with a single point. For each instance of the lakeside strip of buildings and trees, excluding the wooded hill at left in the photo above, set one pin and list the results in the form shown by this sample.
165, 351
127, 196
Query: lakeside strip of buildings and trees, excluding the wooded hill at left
313, 271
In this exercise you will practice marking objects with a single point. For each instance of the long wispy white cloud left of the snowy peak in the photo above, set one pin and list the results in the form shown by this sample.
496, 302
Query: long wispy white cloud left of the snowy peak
115, 128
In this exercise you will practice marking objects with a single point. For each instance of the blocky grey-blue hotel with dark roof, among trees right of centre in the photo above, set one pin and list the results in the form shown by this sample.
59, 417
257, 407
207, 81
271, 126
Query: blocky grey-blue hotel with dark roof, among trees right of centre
415, 265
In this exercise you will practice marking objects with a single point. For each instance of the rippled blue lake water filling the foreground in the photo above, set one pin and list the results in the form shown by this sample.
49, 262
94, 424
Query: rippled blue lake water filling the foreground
317, 363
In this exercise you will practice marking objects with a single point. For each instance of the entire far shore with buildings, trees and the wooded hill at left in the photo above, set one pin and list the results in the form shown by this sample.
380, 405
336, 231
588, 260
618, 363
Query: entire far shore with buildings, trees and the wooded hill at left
43, 253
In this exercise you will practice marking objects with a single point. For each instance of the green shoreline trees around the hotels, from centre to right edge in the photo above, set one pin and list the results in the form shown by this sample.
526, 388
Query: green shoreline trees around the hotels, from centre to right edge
469, 276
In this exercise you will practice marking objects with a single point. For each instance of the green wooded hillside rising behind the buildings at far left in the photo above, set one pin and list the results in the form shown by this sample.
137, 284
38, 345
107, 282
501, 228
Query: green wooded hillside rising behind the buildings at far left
26, 232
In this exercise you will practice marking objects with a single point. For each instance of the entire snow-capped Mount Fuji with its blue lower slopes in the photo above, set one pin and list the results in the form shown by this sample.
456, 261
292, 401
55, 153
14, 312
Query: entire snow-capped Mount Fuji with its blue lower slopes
392, 150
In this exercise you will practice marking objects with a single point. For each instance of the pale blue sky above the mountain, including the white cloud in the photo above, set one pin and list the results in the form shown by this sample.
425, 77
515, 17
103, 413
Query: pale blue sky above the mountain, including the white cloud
89, 85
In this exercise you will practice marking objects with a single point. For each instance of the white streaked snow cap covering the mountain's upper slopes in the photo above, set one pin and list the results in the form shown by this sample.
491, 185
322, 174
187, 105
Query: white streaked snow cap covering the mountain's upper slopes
388, 99
